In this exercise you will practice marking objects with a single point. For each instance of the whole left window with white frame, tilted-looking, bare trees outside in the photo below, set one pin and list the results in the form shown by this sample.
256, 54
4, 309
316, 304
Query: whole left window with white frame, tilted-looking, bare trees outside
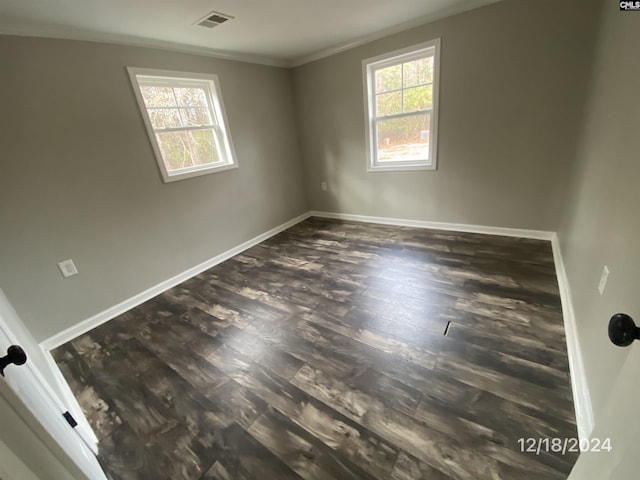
186, 122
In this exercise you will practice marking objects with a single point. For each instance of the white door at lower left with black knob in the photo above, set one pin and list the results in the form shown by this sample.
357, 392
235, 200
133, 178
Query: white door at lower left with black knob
28, 384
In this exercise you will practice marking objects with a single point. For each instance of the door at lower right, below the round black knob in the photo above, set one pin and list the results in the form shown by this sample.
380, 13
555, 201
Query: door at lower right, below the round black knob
621, 423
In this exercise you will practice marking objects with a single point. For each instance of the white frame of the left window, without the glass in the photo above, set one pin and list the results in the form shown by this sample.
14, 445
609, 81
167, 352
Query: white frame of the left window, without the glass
222, 136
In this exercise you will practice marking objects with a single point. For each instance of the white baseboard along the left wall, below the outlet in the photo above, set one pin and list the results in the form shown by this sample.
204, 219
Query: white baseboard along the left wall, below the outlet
122, 307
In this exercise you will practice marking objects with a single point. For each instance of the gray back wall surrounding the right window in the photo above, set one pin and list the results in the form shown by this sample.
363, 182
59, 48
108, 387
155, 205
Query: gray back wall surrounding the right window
513, 78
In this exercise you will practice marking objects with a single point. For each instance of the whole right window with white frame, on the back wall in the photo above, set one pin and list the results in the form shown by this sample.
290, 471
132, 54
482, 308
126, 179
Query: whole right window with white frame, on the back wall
401, 108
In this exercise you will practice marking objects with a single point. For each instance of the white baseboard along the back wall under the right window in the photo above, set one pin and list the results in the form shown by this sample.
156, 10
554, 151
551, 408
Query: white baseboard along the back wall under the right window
454, 227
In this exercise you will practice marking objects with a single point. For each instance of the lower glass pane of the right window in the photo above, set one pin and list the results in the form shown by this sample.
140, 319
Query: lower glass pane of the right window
404, 139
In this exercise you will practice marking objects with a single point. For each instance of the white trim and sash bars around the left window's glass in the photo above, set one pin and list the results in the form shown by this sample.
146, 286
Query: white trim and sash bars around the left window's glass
222, 137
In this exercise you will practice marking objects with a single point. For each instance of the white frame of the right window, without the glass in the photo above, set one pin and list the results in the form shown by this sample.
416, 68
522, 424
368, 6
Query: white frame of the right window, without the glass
369, 67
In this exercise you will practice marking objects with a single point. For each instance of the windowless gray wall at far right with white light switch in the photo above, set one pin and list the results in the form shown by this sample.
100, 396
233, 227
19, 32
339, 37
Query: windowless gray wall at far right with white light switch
602, 225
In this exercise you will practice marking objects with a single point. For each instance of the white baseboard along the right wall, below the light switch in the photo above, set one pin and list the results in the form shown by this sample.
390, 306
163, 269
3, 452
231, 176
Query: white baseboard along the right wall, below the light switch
580, 388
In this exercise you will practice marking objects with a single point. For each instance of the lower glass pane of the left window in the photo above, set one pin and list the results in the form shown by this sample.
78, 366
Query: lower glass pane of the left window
187, 148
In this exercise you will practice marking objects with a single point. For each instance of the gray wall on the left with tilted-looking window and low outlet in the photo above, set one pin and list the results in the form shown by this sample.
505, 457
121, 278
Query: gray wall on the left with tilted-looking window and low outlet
79, 179
